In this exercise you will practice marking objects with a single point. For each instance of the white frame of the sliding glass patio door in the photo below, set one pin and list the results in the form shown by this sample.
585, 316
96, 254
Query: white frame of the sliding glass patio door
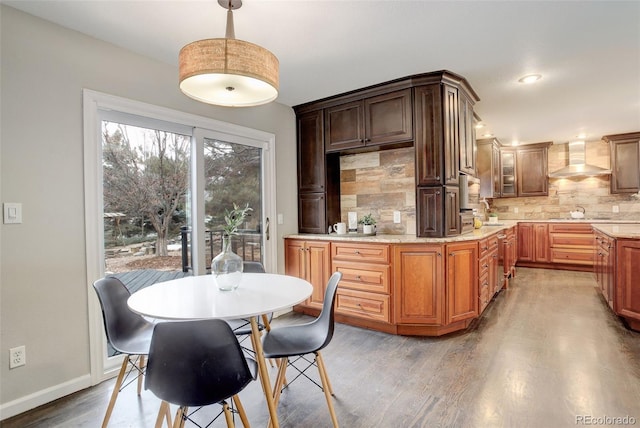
93, 103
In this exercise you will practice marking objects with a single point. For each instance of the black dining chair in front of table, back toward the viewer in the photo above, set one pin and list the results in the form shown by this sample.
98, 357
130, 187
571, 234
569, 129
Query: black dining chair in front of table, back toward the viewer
195, 364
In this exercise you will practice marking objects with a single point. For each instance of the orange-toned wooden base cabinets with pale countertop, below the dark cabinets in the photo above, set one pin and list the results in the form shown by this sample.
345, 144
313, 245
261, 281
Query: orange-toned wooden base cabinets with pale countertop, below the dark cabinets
403, 284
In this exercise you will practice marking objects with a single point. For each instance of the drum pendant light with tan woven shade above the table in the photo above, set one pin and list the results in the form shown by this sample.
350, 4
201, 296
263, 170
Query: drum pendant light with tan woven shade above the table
228, 72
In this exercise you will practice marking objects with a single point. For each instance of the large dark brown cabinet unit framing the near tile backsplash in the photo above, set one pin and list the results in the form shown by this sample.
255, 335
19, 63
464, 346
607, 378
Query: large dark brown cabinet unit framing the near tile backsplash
433, 112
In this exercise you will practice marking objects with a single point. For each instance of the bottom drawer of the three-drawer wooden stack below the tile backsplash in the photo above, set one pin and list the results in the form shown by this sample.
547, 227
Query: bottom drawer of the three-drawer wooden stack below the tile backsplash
362, 304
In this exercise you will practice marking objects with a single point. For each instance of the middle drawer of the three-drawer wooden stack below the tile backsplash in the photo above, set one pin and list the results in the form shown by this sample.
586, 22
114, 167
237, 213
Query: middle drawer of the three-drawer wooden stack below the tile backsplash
365, 277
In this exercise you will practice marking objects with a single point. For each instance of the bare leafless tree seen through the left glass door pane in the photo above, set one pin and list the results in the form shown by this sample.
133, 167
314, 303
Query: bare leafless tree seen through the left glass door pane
147, 179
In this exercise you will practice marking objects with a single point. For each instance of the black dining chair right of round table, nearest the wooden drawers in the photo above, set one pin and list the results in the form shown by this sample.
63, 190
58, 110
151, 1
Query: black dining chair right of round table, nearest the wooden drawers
301, 340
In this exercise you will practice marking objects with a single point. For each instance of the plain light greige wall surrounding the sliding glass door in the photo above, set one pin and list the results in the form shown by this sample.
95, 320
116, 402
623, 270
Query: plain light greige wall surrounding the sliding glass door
43, 290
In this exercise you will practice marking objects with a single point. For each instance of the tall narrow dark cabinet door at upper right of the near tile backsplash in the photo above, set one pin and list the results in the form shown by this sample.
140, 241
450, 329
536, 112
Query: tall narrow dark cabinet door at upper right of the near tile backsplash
427, 110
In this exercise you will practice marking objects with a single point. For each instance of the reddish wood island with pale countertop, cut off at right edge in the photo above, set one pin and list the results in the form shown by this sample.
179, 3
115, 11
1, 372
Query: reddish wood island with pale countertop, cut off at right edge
618, 269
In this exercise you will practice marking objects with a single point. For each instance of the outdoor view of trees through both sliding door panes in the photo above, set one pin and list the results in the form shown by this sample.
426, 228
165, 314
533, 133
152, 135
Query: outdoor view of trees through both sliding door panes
146, 185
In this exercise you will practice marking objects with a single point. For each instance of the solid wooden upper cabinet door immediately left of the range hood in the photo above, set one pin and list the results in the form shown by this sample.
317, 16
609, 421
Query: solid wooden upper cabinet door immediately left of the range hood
531, 171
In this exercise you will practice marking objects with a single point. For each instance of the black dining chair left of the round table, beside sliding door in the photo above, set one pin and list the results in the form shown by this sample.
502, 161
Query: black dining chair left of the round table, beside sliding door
127, 332
